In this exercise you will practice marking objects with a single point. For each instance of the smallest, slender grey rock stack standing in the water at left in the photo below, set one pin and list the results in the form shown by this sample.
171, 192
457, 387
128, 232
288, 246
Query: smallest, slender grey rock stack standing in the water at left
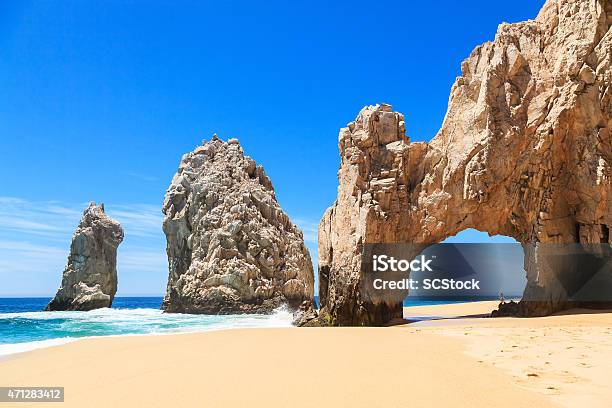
90, 278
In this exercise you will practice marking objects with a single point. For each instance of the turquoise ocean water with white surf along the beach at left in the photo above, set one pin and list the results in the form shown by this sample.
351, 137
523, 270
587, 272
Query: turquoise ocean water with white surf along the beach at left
24, 326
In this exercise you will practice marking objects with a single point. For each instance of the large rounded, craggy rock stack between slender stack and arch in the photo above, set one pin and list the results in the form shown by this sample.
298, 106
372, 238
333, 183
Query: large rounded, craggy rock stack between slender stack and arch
231, 248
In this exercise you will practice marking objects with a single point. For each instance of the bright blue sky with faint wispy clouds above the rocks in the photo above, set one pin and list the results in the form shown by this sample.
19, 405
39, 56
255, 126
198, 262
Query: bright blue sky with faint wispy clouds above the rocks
101, 98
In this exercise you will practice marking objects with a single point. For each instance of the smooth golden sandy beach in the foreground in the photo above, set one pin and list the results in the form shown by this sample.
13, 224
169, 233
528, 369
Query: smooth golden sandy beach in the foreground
557, 361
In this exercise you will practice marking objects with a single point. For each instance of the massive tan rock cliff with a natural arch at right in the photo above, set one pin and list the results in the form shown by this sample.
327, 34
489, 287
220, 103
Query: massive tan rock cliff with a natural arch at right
524, 151
